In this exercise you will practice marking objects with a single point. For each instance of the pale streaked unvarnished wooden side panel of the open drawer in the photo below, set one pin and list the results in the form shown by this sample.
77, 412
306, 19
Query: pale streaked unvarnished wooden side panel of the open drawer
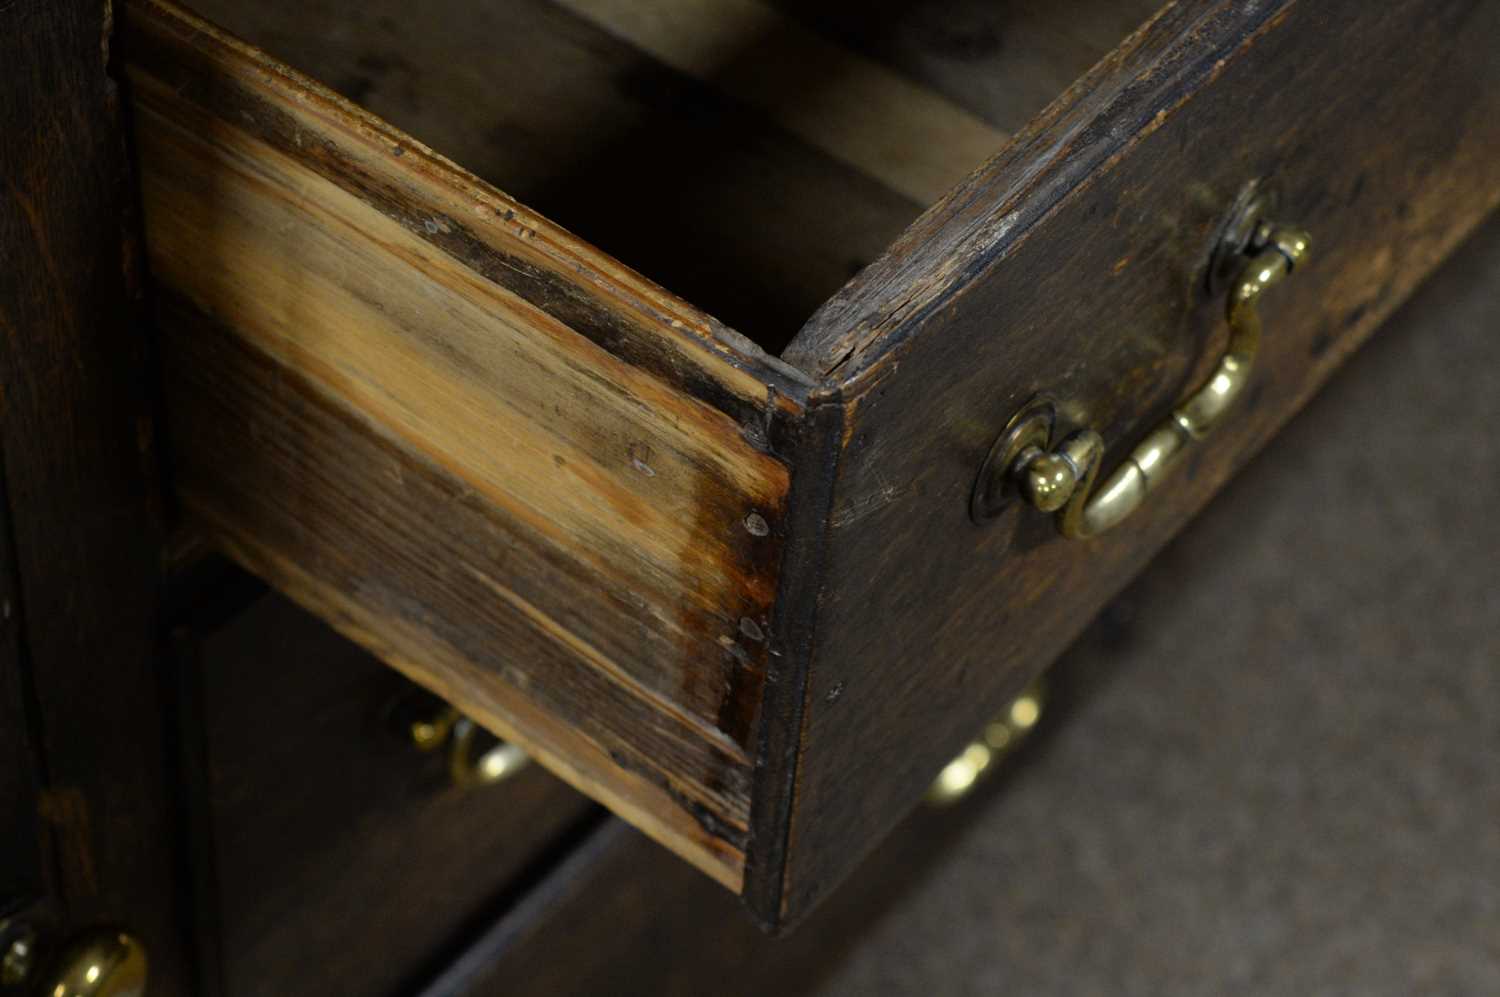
520, 473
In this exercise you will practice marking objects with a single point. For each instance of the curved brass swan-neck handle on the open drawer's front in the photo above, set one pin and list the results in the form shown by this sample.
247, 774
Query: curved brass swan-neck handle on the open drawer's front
1064, 479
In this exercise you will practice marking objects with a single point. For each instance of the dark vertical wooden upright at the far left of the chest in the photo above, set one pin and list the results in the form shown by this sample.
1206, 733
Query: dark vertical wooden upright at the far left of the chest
80, 482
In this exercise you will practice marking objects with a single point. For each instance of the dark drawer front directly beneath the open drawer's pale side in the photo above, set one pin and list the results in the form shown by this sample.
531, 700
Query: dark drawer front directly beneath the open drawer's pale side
337, 857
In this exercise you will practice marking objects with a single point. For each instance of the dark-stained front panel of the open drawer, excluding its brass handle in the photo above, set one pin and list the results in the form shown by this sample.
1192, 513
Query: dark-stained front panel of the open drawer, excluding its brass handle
1075, 265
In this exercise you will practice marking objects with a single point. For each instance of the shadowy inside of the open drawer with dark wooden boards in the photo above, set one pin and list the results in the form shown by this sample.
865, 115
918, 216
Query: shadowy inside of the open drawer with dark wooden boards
748, 155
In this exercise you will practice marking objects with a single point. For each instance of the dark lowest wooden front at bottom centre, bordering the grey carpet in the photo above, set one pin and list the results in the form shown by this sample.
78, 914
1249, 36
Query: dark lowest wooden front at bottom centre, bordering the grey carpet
623, 918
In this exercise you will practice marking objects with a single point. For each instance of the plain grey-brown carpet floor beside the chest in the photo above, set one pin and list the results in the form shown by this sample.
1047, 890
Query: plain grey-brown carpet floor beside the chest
1277, 762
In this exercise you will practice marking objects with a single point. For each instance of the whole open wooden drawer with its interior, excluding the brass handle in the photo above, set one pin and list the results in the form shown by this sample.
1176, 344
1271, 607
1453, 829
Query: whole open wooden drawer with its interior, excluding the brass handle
728, 582
